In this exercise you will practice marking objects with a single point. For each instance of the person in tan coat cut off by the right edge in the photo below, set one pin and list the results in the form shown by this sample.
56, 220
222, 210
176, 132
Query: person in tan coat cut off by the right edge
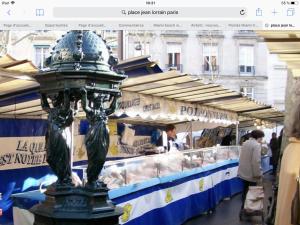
289, 171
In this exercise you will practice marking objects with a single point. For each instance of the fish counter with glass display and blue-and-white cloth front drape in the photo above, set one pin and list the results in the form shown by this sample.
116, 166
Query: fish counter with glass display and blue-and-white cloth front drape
172, 187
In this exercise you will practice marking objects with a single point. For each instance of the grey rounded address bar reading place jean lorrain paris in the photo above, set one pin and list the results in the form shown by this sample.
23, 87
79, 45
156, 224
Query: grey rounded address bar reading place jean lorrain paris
146, 12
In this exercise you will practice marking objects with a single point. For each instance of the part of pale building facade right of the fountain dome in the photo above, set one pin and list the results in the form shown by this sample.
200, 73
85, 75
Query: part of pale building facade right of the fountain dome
238, 60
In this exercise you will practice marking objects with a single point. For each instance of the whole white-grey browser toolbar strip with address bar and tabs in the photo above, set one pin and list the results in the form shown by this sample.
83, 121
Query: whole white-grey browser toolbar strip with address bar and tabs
150, 15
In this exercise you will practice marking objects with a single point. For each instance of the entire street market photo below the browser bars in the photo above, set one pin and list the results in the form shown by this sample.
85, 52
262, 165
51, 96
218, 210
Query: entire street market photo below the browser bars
148, 127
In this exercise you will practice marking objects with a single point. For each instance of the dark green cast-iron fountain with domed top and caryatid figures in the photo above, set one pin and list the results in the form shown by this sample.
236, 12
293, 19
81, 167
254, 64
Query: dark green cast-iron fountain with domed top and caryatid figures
80, 69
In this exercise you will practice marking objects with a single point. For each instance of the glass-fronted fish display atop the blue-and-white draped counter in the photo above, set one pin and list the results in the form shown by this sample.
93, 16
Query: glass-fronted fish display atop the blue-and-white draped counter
135, 170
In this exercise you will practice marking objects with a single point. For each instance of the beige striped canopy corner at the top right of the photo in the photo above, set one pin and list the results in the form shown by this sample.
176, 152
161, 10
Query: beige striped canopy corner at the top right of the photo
287, 45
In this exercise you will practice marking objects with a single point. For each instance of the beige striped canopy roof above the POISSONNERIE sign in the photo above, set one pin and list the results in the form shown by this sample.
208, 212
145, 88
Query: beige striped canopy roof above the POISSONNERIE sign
191, 89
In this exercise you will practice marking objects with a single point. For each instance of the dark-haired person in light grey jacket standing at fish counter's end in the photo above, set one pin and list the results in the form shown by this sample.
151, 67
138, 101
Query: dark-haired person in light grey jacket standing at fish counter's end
250, 162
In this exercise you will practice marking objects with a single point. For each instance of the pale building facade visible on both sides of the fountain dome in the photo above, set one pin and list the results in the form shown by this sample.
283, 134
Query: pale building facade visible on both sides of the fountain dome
238, 60
